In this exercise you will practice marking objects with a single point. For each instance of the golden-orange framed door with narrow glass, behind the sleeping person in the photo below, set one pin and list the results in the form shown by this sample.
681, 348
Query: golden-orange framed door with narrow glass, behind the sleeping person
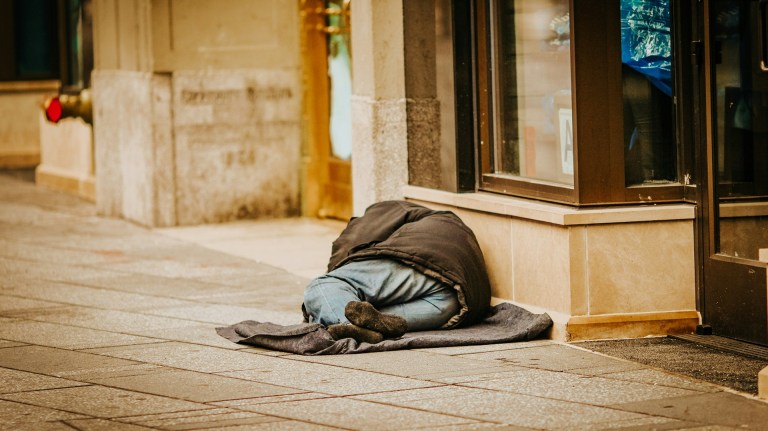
326, 52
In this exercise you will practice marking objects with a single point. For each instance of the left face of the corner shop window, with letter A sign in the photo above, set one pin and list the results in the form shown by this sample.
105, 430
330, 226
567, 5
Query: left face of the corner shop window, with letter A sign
526, 113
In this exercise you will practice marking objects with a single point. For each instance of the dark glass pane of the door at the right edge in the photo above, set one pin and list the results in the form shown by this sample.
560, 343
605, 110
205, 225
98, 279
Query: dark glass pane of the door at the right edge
741, 130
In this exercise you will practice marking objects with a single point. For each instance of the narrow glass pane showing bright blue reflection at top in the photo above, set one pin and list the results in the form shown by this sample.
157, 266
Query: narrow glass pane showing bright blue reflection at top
646, 55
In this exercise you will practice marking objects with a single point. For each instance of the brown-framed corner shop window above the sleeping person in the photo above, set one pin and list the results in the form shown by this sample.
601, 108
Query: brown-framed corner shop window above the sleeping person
575, 100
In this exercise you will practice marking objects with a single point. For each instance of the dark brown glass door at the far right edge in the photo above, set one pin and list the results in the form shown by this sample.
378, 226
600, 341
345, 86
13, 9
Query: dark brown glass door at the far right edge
734, 299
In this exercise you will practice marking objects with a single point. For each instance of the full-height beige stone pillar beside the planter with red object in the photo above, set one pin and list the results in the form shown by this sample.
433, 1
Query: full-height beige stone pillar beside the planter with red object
133, 154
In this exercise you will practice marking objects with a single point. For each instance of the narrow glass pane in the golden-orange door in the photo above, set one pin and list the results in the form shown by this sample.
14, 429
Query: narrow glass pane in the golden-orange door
340, 79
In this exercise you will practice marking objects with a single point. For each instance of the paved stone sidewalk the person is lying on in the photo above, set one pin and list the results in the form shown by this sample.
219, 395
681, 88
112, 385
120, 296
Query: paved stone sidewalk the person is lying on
106, 325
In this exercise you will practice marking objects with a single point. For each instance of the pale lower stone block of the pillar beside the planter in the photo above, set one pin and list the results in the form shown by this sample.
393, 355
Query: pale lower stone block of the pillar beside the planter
134, 146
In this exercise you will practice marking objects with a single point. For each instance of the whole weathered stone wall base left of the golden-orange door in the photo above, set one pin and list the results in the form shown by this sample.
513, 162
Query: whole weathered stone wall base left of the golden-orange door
196, 147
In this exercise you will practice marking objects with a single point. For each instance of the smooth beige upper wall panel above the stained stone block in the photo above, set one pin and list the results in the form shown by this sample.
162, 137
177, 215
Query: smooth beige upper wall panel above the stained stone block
201, 34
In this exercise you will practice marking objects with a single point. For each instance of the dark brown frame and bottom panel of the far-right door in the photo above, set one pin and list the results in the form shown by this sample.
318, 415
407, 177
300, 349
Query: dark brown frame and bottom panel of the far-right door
732, 293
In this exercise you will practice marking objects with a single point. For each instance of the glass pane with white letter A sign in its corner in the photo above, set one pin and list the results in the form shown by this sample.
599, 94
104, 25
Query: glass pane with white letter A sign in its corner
534, 137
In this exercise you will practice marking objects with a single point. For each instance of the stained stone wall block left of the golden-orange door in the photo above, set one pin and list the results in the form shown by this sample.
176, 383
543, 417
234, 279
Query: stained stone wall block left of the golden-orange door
238, 138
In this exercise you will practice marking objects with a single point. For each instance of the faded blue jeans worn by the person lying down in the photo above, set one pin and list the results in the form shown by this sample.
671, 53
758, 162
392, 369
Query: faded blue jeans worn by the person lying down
393, 288
